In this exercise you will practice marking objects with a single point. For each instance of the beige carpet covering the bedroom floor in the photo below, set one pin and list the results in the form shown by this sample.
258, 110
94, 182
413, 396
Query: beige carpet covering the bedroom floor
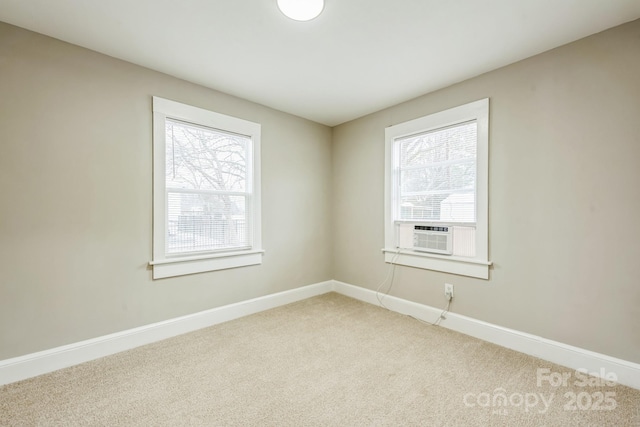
325, 361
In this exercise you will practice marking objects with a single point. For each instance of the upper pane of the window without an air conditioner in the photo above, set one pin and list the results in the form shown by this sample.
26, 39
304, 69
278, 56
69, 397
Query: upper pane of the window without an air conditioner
199, 158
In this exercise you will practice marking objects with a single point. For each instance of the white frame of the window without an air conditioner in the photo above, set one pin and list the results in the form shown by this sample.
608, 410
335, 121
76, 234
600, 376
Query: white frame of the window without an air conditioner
165, 265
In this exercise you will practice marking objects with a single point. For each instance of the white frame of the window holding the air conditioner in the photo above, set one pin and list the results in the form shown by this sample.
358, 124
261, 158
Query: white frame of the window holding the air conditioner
477, 266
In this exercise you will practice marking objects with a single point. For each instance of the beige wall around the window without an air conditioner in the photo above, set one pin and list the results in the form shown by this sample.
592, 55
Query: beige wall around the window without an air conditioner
75, 200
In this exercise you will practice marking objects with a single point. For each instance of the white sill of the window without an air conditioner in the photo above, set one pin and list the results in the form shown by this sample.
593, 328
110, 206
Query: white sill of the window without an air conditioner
172, 267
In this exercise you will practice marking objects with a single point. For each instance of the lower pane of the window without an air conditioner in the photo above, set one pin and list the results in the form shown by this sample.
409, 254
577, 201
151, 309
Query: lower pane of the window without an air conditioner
206, 222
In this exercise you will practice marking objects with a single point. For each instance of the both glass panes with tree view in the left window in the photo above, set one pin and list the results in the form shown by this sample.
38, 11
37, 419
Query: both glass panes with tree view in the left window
208, 189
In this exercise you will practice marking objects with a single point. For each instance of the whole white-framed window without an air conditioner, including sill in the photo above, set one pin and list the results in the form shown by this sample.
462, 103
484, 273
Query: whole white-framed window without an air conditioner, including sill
206, 209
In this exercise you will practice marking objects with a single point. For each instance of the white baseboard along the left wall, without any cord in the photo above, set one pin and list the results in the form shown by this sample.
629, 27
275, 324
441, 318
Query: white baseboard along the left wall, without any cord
31, 365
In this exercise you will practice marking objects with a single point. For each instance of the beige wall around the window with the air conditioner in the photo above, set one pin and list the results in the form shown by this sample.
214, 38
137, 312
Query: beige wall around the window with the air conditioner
564, 197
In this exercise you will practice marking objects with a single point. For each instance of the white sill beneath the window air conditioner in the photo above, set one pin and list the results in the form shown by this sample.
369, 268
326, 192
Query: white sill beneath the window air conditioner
447, 264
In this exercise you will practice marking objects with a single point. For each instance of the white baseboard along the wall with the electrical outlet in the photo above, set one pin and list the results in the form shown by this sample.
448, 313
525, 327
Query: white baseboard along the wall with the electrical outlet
628, 373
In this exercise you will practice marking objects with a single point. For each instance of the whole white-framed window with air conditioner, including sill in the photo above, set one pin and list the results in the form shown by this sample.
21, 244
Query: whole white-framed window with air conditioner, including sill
436, 191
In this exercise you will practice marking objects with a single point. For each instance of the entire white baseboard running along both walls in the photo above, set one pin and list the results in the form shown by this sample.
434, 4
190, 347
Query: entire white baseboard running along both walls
31, 365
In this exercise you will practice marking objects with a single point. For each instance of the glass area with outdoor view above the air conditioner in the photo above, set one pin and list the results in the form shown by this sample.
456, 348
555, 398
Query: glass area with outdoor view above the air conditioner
437, 175
